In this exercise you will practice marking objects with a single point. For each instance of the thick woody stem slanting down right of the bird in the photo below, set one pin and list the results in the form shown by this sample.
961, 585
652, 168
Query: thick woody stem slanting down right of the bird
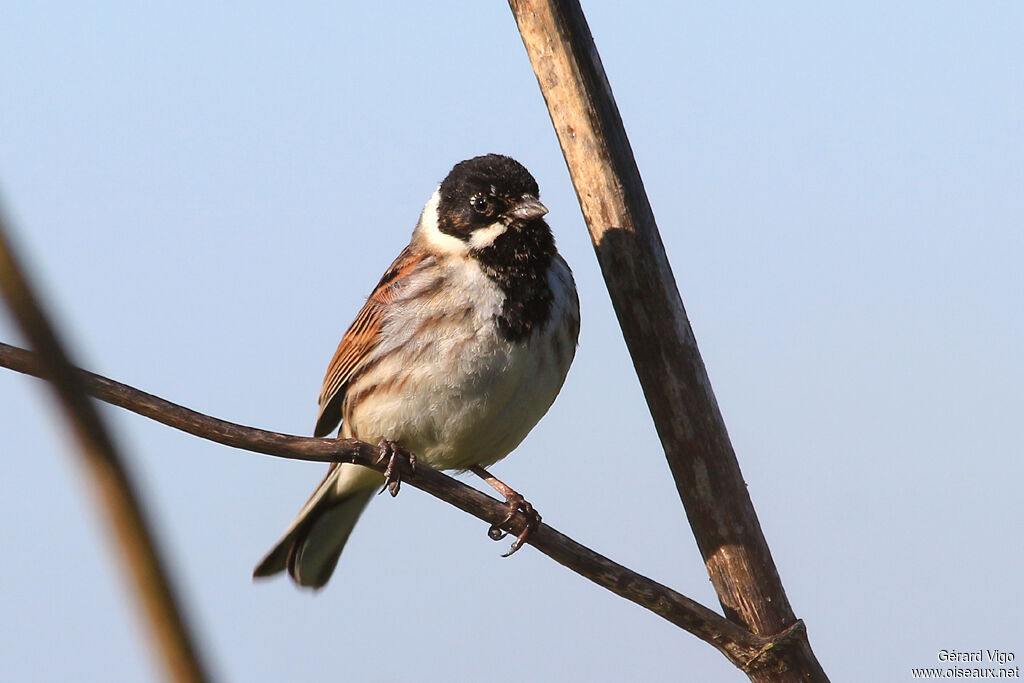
659, 335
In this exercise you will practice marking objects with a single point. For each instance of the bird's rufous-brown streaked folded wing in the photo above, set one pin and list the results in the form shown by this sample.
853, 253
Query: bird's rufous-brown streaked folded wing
362, 337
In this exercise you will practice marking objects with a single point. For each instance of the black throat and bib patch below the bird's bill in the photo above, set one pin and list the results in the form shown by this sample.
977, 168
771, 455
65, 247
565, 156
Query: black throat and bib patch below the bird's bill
519, 262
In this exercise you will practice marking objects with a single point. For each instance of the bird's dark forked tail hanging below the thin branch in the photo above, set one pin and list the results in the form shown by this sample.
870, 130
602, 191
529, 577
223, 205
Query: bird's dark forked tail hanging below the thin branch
311, 547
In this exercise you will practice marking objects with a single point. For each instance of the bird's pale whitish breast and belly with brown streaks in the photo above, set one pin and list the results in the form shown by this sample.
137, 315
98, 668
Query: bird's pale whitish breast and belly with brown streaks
449, 387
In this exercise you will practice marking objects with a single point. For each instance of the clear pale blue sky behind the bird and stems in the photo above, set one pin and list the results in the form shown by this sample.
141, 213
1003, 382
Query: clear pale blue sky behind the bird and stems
209, 192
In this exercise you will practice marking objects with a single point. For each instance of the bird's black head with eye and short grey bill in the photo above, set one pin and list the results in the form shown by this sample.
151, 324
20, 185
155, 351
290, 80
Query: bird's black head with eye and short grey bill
485, 191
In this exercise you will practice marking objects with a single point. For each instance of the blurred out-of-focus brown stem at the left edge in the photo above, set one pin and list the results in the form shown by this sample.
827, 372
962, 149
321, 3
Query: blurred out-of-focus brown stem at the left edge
110, 482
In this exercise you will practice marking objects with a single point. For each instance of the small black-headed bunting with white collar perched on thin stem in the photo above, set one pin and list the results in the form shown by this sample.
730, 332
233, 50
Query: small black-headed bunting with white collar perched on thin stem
459, 352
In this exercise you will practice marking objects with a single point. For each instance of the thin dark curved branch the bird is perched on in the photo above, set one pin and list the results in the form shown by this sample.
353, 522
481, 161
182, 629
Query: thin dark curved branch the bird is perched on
742, 648
